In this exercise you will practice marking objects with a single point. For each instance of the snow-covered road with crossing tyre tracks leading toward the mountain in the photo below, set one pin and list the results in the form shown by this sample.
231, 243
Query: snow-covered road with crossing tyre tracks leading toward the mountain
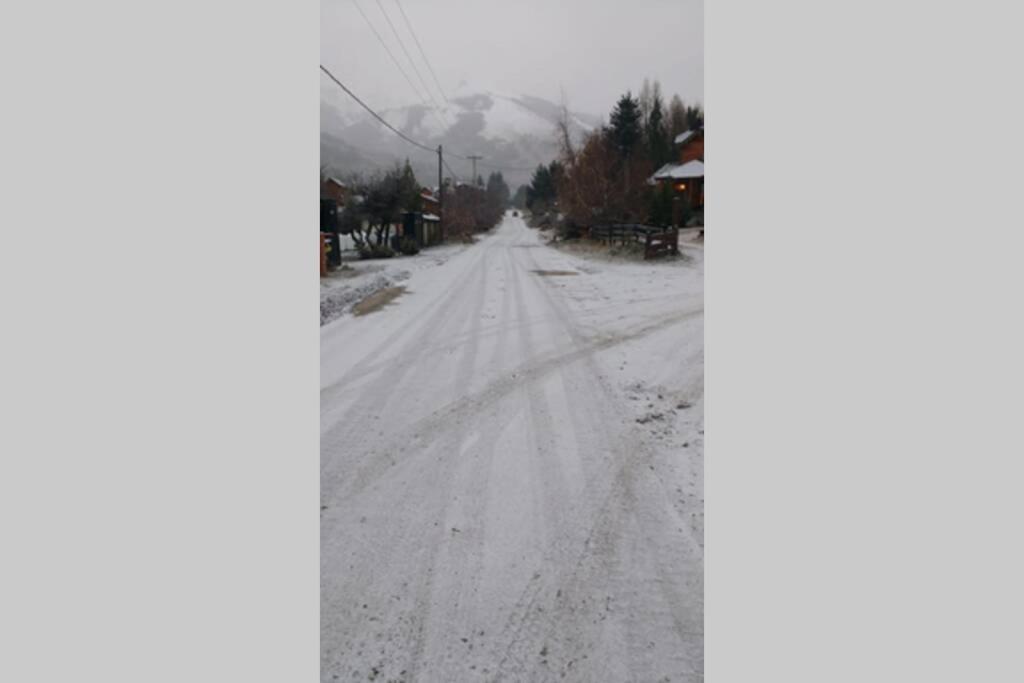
511, 473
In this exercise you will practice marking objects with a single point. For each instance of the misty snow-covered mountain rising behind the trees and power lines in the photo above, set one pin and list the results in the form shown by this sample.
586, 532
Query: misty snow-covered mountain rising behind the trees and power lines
513, 134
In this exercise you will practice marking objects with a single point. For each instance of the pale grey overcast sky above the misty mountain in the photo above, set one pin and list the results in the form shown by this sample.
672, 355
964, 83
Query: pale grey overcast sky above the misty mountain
595, 50
